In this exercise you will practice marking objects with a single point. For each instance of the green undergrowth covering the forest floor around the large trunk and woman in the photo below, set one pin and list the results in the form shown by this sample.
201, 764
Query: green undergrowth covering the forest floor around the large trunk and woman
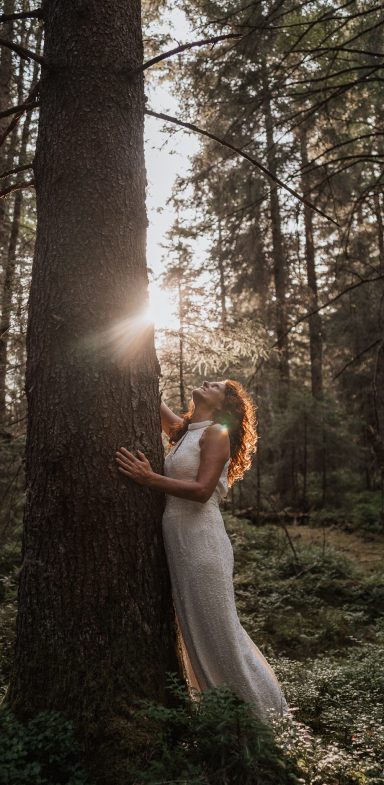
318, 617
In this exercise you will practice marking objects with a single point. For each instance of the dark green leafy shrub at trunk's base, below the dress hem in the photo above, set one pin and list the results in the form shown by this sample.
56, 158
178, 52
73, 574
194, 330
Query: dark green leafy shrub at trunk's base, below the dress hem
215, 739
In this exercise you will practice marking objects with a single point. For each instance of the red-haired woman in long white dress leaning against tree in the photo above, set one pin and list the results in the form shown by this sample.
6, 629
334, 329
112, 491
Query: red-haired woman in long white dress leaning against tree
212, 447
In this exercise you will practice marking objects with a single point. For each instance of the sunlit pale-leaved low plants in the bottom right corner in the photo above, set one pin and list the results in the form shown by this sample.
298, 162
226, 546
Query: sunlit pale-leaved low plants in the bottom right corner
342, 700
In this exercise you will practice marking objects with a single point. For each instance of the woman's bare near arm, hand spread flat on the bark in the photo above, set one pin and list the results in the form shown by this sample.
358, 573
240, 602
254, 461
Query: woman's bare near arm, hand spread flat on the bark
214, 454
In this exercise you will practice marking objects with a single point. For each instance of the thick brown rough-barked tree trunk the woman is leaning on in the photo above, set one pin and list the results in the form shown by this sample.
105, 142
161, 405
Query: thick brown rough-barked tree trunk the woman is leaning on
95, 627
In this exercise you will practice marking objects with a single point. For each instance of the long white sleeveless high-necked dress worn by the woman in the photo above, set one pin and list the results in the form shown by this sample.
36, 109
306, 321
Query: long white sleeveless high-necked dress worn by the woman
215, 647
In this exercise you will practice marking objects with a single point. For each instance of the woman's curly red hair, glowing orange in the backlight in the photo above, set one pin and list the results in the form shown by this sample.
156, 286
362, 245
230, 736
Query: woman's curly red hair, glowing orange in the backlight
238, 415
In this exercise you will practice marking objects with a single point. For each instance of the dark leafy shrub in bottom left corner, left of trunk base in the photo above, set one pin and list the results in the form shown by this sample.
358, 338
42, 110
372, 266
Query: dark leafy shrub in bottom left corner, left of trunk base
41, 752
